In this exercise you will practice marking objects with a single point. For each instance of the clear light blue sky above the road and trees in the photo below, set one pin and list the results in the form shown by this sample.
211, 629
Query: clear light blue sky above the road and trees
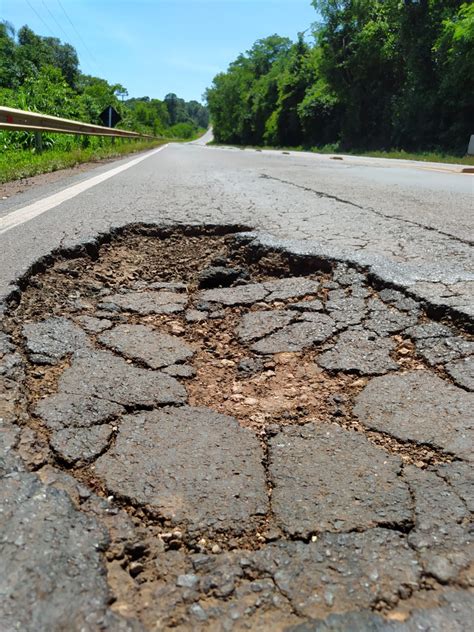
153, 47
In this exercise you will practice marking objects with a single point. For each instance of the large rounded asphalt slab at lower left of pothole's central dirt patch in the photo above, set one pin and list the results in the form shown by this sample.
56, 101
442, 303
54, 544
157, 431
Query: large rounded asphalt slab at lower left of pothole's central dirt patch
192, 466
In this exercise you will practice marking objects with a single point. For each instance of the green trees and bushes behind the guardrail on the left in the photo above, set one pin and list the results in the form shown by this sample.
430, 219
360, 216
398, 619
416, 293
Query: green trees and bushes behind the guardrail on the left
42, 74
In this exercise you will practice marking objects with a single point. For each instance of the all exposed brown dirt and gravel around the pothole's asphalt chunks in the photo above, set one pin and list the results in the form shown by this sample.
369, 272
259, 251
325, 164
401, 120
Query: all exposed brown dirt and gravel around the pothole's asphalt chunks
263, 392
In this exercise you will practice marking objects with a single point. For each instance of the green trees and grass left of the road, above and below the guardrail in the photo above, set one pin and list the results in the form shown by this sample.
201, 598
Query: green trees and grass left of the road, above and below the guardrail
41, 74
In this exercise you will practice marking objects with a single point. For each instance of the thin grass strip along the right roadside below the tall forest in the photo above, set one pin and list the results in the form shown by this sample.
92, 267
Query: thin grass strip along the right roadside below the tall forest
423, 156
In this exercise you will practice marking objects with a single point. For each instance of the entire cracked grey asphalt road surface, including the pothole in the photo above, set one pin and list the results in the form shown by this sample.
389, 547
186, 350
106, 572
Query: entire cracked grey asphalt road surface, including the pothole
250, 410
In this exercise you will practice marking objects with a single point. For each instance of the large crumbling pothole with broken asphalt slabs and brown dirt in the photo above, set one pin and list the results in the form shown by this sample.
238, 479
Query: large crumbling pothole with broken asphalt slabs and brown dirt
256, 431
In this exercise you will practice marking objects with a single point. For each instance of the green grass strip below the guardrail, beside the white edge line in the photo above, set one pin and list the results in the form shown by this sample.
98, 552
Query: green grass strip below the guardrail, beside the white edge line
16, 164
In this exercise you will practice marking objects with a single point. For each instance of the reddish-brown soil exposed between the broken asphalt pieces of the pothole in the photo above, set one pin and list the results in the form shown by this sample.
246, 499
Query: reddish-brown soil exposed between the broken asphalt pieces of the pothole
290, 388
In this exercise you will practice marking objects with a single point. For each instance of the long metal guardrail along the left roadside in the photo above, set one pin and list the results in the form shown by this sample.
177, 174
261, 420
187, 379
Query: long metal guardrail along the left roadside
21, 120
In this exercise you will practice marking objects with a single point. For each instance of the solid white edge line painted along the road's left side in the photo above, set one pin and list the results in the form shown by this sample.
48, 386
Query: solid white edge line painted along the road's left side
22, 215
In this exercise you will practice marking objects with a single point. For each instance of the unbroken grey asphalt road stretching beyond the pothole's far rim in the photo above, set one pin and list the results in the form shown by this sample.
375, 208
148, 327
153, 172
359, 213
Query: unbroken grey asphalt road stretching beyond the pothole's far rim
410, 224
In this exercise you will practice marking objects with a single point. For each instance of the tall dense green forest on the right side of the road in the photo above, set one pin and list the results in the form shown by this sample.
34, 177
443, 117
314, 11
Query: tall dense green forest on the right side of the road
378, 74
